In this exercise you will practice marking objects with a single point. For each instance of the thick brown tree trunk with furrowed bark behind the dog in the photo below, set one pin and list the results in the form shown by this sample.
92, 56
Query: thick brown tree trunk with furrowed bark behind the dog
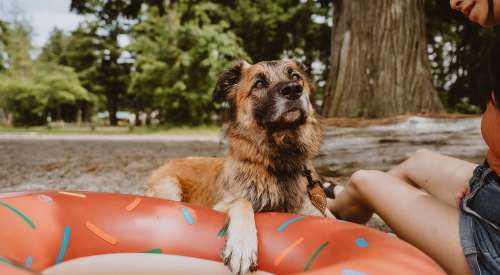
379, 63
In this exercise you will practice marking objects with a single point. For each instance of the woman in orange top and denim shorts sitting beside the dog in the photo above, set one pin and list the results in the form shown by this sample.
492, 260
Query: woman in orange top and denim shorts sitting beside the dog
447, 207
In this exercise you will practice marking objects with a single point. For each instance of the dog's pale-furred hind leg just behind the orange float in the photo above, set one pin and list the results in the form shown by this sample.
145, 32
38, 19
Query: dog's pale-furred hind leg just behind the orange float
167, 187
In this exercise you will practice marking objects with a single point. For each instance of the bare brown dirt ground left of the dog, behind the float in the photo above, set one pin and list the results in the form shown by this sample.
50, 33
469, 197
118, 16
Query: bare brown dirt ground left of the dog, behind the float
120, 166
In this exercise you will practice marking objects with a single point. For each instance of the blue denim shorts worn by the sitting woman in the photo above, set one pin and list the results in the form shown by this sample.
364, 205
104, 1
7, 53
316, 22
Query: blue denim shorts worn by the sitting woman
480, 222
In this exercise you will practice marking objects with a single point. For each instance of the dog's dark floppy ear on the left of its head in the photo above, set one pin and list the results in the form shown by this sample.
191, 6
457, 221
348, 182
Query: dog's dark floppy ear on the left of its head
227, 80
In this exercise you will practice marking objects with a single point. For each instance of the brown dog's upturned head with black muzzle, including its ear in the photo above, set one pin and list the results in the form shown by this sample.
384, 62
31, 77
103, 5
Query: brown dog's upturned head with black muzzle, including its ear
272, 95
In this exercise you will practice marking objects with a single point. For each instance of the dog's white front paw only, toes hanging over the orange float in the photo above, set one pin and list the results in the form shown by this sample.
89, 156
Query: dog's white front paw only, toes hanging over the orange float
240, 251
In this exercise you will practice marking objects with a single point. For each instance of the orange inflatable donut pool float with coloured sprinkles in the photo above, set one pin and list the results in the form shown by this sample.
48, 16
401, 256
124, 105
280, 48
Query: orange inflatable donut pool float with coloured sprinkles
39, 230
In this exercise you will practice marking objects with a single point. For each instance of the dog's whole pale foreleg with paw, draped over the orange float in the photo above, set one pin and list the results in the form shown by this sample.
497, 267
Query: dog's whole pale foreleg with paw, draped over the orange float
240, 250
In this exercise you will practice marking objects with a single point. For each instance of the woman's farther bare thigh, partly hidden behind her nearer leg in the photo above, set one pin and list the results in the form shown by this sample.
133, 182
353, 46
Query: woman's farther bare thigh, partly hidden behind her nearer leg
439, 175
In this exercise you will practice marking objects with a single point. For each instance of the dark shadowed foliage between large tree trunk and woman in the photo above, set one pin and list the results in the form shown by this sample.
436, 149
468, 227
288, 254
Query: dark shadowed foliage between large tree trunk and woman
459, 56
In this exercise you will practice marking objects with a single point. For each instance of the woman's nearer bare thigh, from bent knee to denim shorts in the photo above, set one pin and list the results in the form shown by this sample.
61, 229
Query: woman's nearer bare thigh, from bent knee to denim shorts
415, 216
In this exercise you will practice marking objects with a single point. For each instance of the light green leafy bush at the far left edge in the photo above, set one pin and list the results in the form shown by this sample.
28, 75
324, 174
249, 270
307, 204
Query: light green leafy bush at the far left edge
30, 90
